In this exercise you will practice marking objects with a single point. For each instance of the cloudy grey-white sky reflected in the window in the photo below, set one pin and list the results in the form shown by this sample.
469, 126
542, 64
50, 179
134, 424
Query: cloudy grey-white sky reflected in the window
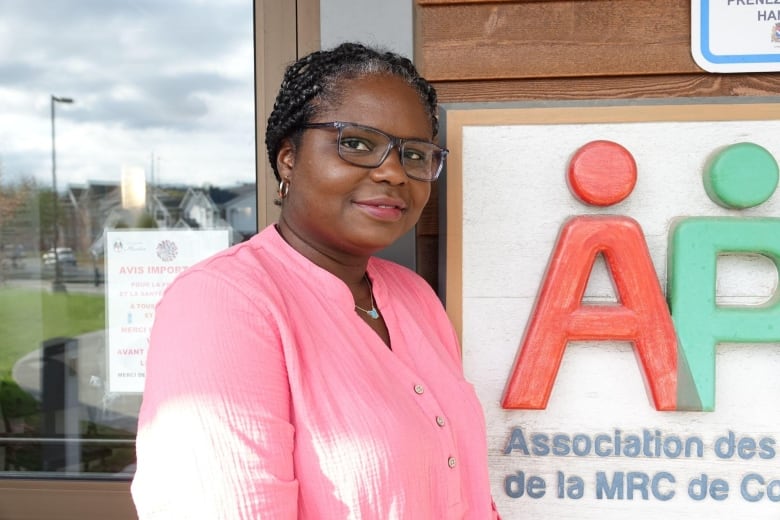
163, 84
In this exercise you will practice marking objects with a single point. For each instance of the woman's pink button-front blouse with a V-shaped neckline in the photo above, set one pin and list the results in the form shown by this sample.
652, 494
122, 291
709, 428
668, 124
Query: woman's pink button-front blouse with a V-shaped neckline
268, 397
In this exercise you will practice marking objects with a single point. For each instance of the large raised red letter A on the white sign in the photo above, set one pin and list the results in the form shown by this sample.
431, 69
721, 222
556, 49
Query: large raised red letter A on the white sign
641, 316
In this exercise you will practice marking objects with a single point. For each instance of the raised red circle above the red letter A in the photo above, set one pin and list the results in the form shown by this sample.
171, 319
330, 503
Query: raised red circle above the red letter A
602, 173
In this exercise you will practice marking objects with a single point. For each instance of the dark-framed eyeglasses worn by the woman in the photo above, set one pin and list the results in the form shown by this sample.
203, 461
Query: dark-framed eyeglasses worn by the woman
368, 147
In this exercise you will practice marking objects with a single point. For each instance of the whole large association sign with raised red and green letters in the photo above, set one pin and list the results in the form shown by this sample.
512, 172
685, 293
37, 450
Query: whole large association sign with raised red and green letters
613, 275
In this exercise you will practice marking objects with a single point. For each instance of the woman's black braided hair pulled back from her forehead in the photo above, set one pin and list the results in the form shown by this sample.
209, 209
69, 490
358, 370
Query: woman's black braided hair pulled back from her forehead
319, 76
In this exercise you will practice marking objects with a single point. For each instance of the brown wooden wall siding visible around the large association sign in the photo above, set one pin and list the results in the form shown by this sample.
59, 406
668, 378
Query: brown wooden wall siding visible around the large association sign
536, 50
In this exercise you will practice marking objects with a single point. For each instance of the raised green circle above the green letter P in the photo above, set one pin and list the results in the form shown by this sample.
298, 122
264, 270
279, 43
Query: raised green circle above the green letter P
740, 176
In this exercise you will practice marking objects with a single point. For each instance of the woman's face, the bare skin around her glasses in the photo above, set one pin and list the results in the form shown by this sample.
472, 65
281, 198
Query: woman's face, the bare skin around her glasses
338, 208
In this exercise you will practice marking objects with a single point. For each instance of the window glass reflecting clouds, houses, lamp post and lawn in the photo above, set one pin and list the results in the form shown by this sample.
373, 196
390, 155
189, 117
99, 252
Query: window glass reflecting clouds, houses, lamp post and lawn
117, 117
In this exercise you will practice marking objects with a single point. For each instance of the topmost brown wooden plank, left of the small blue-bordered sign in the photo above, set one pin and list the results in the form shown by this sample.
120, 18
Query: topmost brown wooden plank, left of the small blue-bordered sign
481, 41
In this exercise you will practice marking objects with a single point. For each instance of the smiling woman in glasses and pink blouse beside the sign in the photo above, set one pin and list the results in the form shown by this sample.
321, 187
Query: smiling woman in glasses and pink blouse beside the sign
295, 375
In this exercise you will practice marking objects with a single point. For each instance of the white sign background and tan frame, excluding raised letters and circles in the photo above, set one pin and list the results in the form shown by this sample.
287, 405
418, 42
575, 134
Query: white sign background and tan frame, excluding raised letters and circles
600, 449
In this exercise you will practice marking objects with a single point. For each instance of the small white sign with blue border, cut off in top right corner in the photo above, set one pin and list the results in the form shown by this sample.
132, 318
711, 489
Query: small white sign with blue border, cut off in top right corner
736, 35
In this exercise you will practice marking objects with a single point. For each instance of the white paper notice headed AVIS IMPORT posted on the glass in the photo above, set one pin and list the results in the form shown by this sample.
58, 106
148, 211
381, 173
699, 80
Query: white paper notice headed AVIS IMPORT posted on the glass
139, 266
